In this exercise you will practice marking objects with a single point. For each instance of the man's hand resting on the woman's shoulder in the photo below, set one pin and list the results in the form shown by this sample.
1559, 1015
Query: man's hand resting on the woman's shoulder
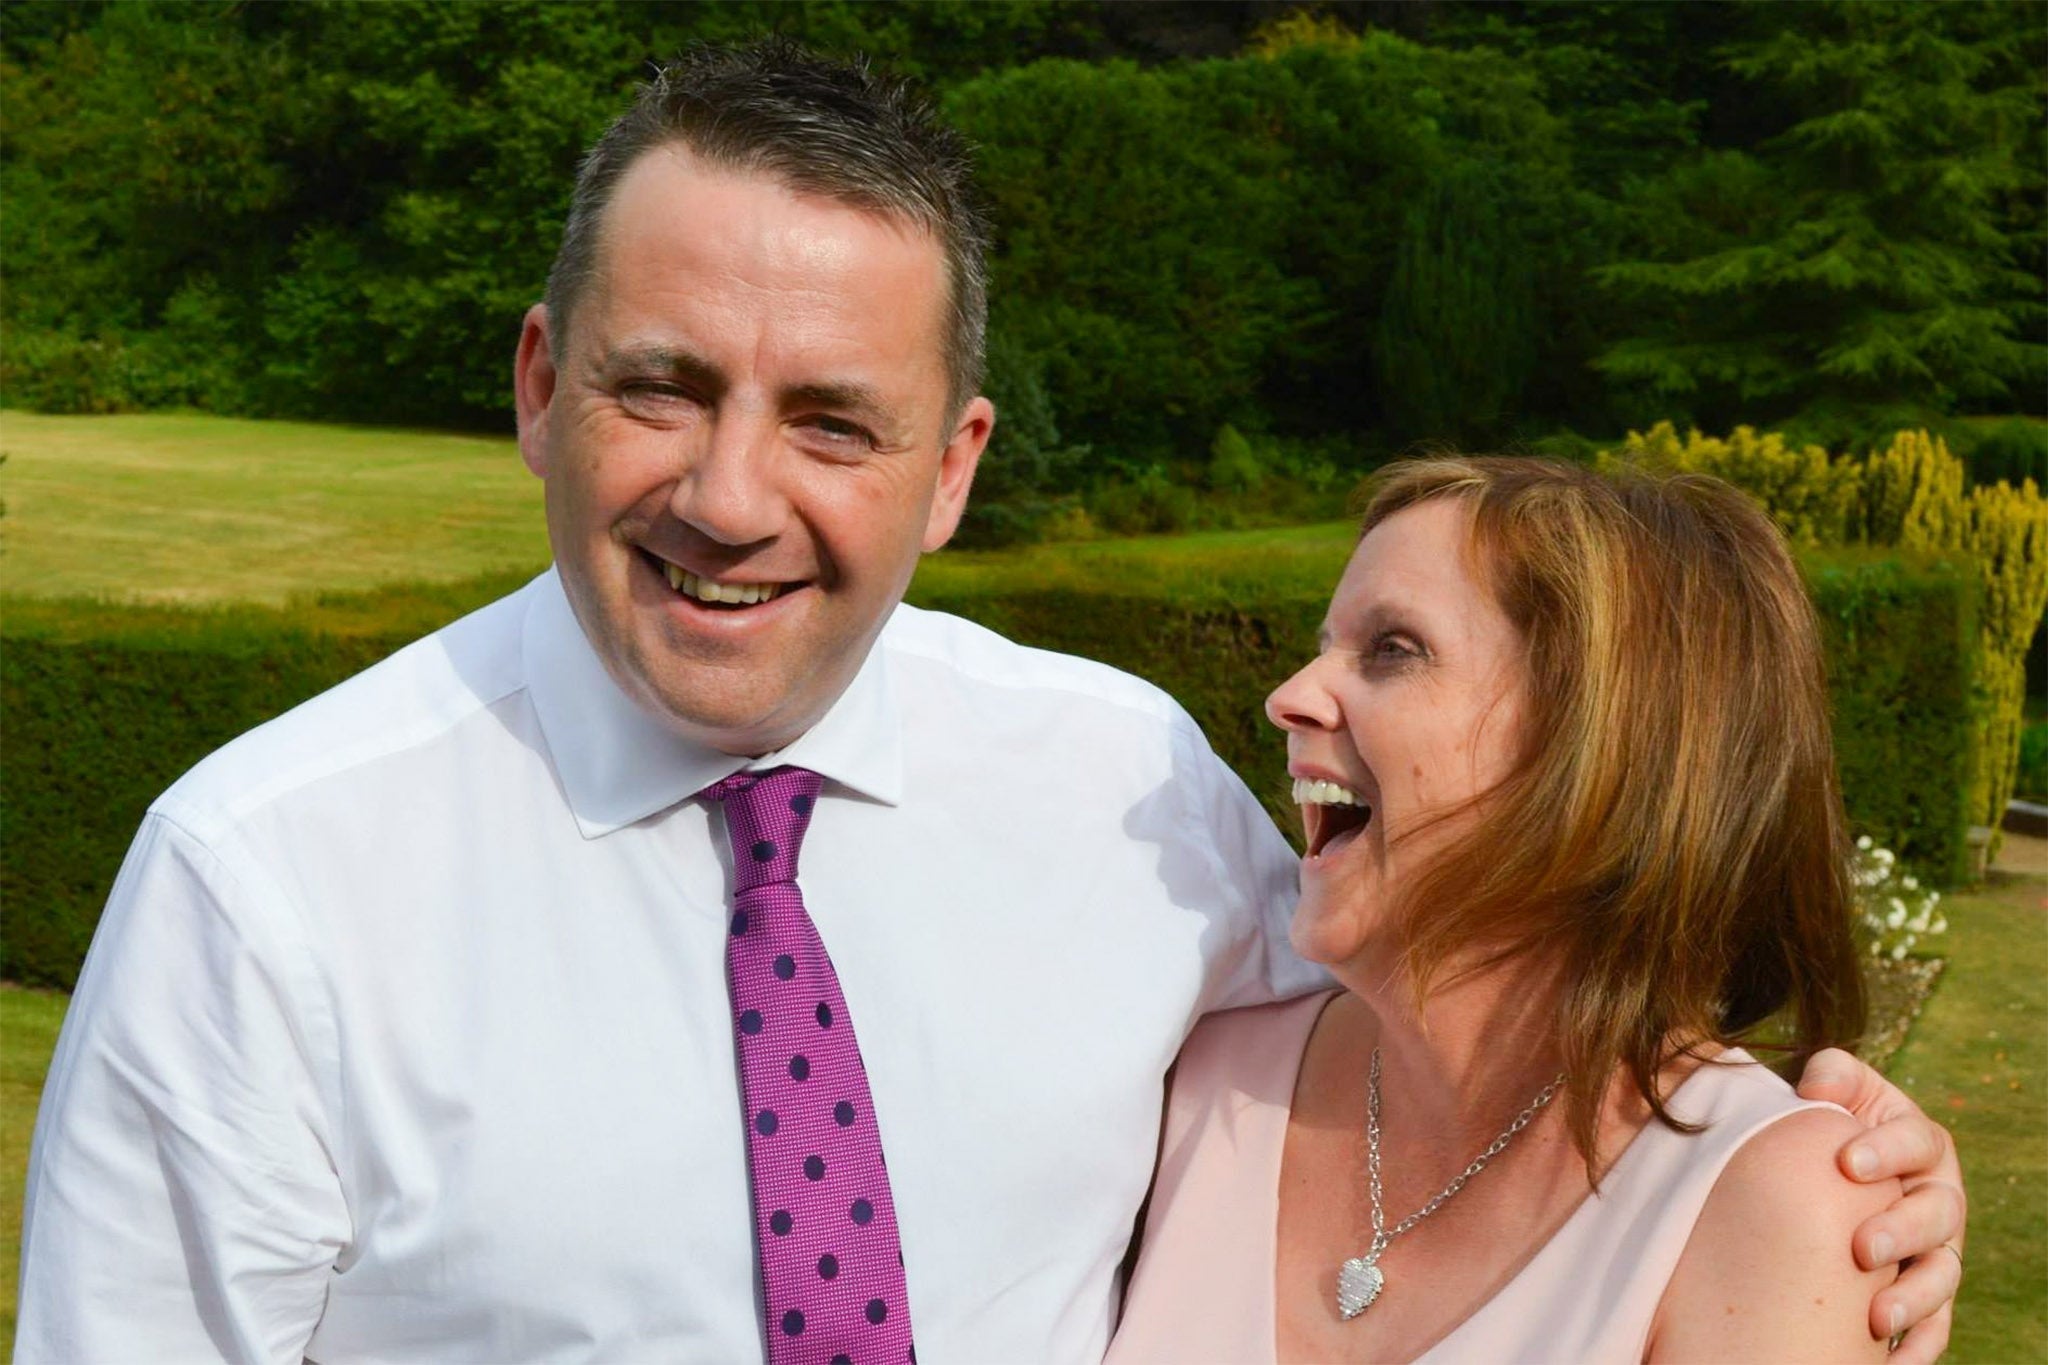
1924, 1231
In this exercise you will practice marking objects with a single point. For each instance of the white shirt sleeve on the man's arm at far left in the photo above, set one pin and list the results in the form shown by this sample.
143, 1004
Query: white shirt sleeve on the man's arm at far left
183, 1198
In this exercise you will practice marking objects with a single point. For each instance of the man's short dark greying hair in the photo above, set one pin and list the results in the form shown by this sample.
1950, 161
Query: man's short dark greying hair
820, 128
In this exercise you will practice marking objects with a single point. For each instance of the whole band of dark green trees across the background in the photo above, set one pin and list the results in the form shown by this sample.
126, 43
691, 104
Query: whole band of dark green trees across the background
1332, 230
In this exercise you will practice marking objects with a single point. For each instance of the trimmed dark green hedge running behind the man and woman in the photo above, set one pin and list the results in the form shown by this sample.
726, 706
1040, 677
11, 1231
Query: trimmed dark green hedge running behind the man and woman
105, 707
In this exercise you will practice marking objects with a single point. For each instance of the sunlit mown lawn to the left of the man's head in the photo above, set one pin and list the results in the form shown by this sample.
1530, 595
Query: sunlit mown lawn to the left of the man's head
194, 509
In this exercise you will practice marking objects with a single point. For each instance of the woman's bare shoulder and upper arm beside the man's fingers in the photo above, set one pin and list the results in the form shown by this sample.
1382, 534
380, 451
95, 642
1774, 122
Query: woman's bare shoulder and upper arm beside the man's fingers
1768, 1272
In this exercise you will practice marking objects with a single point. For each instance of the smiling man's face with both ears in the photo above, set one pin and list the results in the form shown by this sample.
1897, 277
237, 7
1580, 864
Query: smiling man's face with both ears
751, 406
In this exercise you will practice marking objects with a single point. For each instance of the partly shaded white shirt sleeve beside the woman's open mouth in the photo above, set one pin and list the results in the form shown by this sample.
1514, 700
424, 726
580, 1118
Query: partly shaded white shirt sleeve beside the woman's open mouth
1254, 877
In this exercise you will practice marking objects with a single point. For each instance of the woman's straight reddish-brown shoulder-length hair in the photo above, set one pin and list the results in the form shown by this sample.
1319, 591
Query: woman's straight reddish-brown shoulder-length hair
1672, 832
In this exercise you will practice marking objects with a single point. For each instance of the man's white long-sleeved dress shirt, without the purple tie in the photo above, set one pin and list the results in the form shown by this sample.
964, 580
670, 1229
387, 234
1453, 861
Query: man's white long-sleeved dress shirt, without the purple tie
407, 1037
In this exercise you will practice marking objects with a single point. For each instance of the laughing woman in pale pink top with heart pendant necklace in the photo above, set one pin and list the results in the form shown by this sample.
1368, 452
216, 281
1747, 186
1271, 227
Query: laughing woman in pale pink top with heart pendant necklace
1572, 822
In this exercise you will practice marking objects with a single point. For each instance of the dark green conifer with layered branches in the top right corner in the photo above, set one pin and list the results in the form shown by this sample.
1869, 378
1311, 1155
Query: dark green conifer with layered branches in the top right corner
1865, 261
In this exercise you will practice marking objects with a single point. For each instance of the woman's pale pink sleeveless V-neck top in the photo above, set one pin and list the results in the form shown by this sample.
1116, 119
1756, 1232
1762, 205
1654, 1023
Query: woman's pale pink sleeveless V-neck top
1203, 1290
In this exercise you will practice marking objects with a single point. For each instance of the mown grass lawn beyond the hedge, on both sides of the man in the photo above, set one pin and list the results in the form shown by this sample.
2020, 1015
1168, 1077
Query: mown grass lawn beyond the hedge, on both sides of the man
196, 511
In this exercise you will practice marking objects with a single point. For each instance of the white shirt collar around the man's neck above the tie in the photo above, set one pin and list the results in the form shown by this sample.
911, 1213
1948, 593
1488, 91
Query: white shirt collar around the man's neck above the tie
622, 764
